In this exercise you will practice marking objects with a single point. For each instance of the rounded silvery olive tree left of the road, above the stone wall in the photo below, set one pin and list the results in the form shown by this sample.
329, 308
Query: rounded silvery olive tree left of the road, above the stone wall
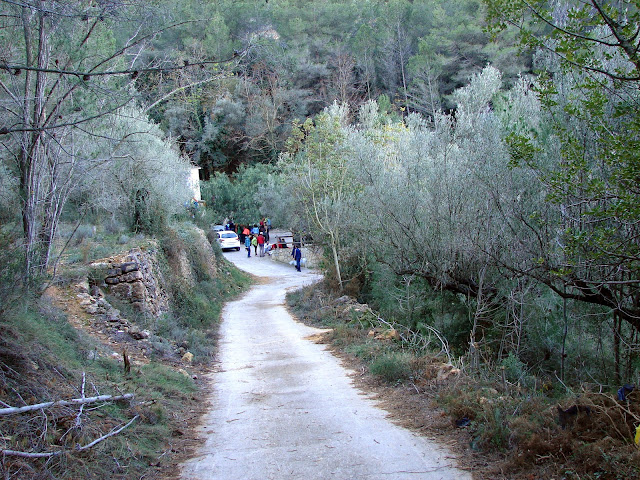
135, 174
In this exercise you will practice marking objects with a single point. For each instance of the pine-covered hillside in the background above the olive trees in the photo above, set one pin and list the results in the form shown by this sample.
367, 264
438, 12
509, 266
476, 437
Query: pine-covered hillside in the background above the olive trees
300, 57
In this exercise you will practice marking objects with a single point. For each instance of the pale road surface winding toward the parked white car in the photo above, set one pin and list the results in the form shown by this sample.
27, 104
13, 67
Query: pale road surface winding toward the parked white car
282, 407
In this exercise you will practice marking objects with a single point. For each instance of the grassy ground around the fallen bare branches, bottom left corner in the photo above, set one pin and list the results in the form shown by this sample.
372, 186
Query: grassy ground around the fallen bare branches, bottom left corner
42, 358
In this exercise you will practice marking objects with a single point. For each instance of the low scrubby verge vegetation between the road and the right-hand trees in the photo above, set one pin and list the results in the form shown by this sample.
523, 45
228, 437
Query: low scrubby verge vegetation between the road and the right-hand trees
514, 422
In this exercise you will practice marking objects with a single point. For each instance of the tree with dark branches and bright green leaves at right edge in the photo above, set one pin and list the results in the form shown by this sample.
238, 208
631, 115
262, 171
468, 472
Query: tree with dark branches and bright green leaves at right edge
590, 95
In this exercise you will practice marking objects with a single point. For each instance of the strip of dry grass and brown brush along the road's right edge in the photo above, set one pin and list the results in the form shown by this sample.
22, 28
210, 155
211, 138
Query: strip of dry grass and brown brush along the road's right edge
510, 432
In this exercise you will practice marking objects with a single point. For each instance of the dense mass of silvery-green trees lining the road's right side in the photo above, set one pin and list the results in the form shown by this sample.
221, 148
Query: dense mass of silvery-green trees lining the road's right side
447, 203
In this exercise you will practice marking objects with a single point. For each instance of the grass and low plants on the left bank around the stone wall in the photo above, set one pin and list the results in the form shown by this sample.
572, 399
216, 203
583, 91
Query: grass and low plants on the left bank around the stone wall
43, 358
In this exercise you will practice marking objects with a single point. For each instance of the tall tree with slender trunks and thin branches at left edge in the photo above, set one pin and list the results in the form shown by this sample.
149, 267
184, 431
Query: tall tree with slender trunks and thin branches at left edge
64, 67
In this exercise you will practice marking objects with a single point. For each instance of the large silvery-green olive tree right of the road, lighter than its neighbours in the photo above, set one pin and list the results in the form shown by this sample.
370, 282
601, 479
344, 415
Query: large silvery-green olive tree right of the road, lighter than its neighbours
442, 204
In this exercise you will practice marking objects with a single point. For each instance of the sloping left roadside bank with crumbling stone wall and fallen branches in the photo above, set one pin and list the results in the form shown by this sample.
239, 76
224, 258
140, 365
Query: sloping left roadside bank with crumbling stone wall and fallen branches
140, 325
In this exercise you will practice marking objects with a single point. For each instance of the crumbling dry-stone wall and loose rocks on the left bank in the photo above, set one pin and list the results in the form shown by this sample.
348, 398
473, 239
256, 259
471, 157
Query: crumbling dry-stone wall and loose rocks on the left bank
123, 297
